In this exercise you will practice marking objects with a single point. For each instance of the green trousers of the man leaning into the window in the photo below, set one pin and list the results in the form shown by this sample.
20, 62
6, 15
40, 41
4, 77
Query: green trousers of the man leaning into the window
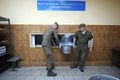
48, 53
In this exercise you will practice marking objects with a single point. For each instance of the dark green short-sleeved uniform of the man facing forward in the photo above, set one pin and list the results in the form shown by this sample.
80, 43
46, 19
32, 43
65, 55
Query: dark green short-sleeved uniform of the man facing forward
82, 46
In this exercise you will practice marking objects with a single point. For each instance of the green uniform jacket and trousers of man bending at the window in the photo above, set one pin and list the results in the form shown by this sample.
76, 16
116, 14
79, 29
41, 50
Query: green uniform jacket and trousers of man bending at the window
48, 36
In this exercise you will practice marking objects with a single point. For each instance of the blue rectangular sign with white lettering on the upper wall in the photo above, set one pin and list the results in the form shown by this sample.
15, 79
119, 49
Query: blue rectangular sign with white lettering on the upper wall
61, 5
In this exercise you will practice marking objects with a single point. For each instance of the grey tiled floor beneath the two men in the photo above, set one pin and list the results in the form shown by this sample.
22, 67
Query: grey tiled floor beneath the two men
63, 73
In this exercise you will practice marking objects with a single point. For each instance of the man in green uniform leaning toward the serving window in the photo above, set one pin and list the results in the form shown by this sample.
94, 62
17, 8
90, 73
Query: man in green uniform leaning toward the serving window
49, 37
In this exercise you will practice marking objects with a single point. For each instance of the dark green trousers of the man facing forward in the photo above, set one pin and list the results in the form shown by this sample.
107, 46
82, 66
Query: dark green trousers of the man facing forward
80, 55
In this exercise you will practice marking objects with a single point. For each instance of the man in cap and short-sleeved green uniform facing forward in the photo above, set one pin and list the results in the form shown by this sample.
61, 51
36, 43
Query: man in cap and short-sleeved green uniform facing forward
83, 40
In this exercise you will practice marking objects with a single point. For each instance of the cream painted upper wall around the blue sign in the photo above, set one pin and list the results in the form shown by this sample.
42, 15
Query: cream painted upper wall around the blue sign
99, 12
